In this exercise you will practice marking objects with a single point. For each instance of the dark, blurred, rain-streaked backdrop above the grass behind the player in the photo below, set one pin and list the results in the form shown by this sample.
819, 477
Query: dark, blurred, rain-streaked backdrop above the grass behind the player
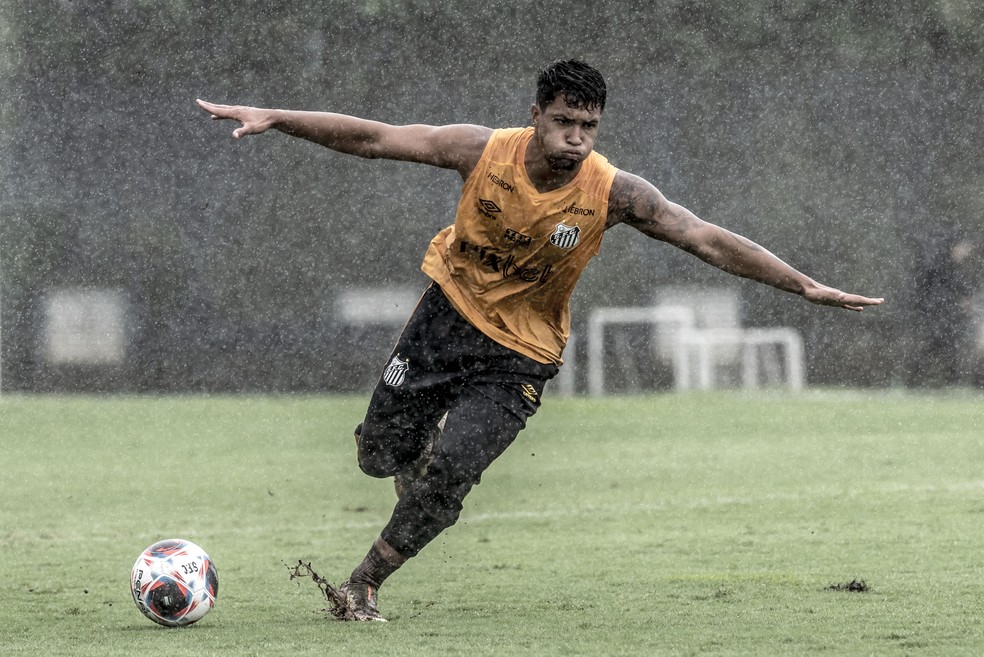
844, 136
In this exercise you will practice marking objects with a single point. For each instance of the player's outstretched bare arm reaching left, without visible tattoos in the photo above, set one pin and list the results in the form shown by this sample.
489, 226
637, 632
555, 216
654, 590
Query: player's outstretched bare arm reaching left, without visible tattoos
457, 147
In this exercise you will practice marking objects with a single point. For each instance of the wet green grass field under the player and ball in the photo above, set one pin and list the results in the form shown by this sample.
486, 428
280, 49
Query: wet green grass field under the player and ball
705, 524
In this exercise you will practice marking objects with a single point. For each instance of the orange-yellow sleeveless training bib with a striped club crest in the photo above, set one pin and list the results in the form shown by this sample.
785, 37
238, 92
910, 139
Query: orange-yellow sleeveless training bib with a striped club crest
513, 256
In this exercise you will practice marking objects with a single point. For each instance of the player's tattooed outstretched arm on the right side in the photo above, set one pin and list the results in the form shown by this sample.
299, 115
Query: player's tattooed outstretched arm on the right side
638, 203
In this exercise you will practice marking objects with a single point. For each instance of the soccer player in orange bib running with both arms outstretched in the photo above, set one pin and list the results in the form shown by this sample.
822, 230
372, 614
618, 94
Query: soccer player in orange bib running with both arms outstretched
488, 332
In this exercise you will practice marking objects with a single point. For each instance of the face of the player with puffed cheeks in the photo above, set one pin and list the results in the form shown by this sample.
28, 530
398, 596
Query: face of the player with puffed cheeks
565, 134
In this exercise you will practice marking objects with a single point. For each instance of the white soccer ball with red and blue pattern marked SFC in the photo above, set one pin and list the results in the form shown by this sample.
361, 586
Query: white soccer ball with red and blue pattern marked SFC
174, 582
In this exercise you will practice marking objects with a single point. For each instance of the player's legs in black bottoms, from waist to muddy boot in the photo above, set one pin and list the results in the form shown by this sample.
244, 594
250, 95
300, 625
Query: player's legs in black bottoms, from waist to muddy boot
491, 391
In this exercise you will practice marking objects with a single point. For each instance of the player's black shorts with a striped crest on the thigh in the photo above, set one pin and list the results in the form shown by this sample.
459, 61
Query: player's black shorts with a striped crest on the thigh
442, 364
